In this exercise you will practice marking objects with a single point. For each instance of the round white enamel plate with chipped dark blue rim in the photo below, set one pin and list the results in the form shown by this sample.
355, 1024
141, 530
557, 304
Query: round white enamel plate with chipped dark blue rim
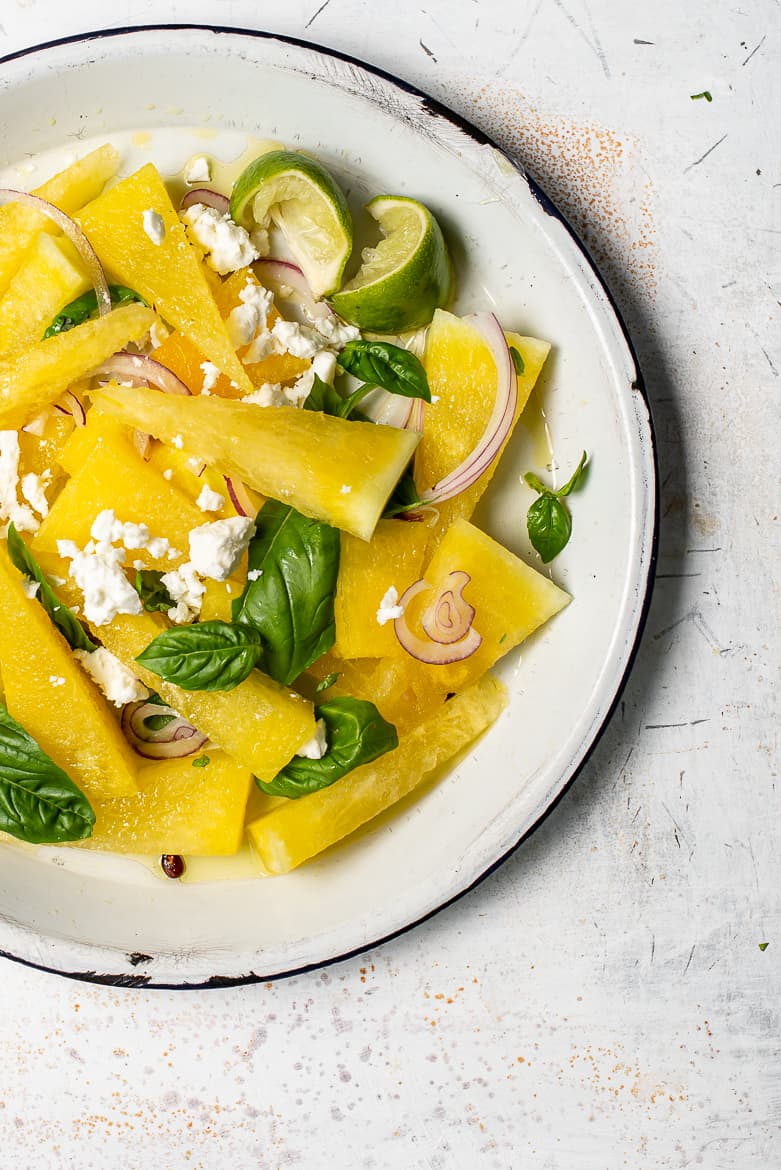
164, 95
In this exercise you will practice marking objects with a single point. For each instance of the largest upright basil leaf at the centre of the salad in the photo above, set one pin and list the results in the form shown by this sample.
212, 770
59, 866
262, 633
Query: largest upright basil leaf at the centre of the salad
292, 602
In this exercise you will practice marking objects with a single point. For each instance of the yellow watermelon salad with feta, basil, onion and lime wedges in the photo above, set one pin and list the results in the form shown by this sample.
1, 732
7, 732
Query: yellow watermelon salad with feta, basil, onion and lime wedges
244, 596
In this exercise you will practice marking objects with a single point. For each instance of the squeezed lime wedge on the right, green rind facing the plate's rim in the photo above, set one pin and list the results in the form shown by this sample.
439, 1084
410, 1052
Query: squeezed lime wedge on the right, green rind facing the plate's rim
405, 278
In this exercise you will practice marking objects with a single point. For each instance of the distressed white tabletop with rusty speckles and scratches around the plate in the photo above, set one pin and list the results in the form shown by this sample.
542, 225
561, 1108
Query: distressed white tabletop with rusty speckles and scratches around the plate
617, 953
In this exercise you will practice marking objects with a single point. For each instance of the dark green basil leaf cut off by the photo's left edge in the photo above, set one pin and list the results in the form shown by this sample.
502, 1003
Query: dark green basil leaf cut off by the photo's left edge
39, 803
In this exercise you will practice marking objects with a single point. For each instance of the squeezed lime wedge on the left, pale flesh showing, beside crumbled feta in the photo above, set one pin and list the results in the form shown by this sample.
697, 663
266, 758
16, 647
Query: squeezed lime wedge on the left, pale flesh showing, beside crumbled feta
300, 196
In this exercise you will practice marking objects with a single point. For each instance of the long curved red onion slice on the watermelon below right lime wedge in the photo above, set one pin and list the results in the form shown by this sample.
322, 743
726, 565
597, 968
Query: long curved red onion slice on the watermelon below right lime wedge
500, 424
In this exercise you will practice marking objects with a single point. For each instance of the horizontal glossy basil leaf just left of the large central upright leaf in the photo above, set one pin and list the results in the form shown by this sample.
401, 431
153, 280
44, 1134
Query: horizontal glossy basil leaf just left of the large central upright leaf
210, 656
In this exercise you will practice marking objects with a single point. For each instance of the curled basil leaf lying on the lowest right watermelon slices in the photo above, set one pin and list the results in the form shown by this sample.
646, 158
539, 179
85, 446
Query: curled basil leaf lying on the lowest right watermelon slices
356, 734
